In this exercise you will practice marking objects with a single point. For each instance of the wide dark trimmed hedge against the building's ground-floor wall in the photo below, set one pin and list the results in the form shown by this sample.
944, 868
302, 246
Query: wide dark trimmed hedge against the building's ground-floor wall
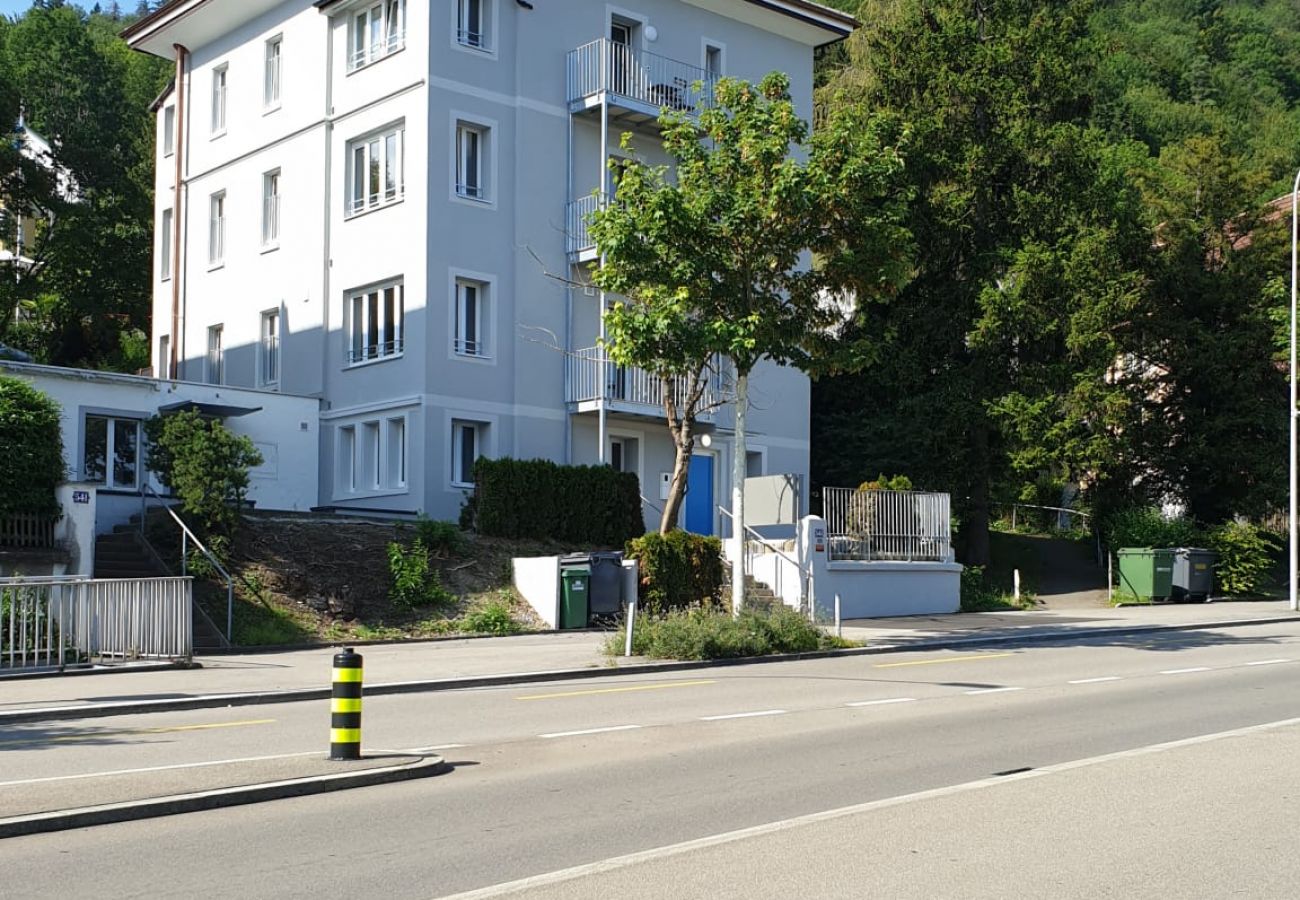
538, 499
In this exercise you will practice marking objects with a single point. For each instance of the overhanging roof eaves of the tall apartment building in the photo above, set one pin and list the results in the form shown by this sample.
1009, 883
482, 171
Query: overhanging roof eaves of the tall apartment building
203, 23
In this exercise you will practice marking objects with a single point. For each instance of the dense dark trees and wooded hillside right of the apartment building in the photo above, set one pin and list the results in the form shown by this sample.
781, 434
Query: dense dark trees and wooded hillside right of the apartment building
1100, 297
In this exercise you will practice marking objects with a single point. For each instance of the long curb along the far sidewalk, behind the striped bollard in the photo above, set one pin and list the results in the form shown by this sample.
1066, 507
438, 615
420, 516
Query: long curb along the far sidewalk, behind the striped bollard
301, 695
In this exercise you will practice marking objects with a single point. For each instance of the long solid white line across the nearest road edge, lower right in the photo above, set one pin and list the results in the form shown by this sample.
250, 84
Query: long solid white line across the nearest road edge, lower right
831, 815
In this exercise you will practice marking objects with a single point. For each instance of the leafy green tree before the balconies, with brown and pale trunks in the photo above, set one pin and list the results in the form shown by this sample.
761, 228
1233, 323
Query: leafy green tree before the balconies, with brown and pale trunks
712, 256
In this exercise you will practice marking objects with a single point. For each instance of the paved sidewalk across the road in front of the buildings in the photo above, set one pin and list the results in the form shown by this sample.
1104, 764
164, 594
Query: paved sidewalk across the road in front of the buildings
296, 676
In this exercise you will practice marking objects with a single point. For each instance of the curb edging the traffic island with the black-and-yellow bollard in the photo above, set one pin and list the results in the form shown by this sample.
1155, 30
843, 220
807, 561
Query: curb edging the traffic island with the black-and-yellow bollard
236, 797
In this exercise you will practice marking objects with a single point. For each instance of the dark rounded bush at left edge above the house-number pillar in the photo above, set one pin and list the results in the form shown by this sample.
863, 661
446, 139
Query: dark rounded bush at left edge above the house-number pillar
32, 465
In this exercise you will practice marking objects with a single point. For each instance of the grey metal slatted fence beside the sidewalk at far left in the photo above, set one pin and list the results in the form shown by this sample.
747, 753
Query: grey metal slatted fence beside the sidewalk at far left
57, 622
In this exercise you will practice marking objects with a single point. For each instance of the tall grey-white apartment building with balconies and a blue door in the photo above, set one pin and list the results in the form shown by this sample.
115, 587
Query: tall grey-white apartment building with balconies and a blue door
370, 202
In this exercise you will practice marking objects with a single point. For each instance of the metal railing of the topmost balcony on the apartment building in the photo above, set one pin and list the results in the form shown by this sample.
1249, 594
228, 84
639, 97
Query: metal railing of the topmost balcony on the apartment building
638, 75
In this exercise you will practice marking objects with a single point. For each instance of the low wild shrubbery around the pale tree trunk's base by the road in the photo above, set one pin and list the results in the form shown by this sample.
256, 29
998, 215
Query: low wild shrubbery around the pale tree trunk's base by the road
705, 634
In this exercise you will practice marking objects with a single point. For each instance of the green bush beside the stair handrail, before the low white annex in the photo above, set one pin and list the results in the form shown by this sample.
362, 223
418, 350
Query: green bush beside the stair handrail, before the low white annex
205, 465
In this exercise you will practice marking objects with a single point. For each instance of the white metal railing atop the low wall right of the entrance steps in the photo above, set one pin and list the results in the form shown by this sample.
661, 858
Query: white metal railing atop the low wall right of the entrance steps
887, 525
